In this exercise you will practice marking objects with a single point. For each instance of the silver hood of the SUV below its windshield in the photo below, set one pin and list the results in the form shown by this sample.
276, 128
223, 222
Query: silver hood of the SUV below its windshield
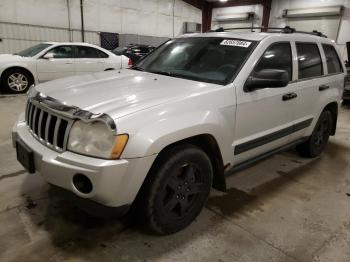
119, 93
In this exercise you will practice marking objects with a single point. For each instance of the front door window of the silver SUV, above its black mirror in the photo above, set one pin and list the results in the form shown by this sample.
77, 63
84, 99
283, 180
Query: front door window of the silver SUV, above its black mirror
276, 56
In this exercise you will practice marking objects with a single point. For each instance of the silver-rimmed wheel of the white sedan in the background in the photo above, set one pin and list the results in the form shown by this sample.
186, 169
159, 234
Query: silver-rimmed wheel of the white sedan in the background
16, 81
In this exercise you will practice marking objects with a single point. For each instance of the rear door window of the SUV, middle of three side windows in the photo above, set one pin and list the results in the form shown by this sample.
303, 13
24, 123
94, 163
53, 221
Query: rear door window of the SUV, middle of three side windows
309, 60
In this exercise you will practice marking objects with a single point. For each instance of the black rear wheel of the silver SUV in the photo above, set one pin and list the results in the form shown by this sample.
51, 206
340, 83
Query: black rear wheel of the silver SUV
319, 138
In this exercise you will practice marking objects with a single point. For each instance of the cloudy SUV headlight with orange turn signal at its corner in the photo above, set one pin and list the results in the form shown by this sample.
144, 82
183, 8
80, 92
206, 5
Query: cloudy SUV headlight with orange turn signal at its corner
96, 139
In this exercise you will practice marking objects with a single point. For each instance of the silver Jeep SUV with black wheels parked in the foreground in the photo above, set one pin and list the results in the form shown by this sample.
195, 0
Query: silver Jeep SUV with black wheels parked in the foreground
160, 135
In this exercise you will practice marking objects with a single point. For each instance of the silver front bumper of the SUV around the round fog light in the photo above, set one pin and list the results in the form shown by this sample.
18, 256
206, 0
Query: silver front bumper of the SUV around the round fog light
115, 182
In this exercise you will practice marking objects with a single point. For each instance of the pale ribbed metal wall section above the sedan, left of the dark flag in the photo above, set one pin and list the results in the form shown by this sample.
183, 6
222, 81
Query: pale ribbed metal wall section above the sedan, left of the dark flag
16, 37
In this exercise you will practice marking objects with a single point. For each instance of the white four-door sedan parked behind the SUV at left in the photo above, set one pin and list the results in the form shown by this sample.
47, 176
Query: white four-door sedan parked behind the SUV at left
51, 60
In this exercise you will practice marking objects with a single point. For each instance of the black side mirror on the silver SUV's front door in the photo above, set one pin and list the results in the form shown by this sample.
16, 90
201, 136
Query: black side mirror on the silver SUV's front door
273, 78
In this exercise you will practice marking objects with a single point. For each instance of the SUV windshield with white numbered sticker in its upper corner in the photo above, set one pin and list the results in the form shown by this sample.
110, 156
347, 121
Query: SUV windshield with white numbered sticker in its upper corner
208, 59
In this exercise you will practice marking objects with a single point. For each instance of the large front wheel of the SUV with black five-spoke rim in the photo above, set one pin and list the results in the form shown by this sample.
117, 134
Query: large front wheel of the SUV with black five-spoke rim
177, 189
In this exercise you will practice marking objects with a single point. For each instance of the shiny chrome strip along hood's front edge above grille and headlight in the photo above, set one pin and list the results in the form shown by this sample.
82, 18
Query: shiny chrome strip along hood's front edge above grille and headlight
71, 112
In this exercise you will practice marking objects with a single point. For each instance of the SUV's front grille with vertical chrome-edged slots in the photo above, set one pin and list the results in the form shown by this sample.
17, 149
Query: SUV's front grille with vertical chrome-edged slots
49, 128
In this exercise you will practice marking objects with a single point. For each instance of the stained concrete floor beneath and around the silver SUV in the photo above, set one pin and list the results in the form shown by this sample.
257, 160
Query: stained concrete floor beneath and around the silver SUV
283, 209
